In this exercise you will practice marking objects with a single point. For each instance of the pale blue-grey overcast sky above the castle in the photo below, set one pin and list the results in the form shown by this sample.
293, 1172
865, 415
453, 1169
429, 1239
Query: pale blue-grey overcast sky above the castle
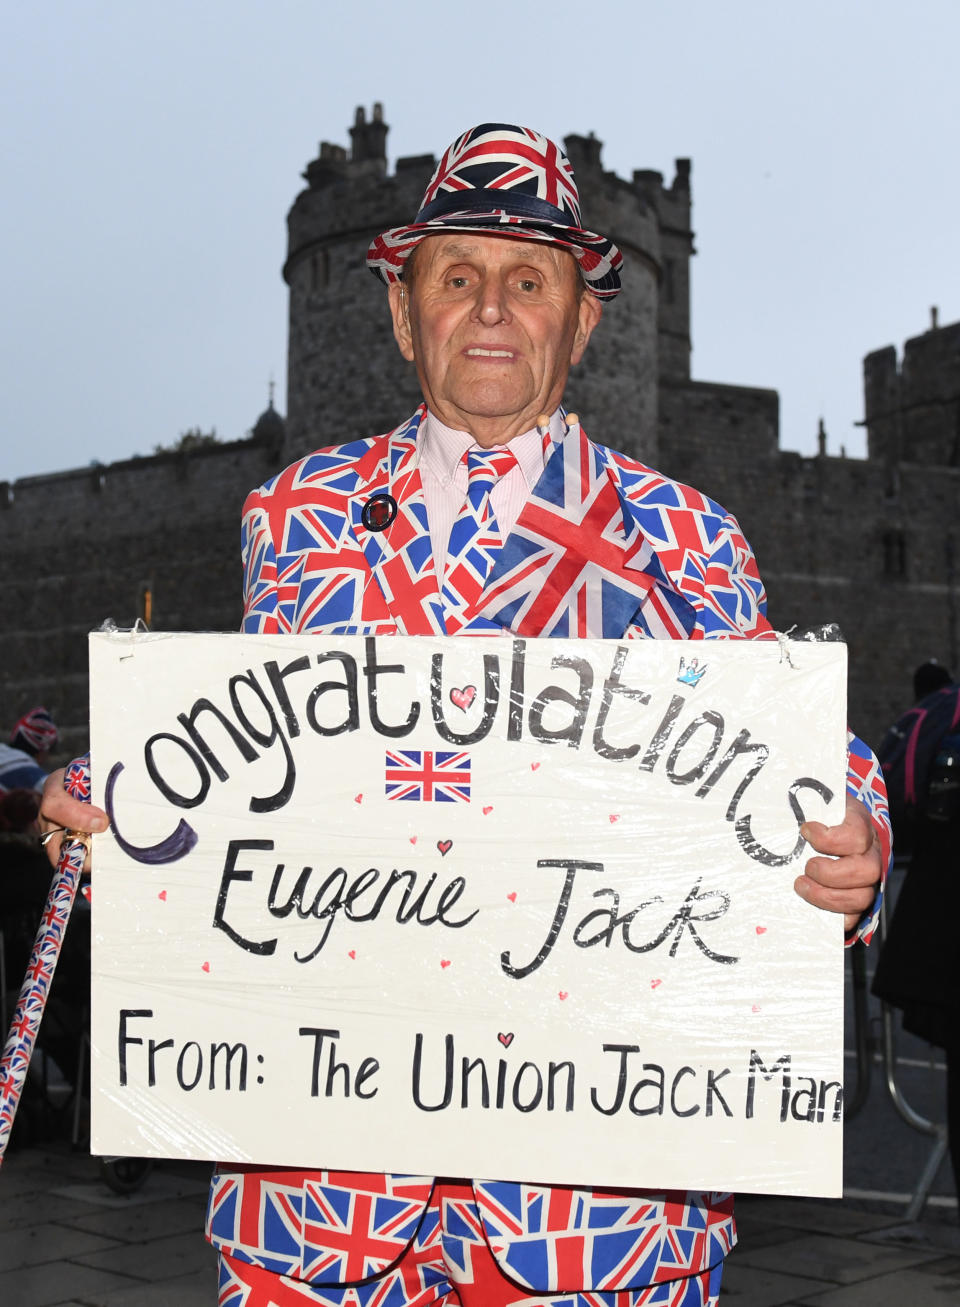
151, 151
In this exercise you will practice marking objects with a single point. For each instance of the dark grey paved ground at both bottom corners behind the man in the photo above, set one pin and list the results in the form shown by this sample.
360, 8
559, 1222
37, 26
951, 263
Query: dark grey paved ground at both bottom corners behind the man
67, 1241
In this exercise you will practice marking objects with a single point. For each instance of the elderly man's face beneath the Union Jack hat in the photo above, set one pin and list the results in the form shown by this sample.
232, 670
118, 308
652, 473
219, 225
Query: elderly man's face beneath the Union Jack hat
493, 326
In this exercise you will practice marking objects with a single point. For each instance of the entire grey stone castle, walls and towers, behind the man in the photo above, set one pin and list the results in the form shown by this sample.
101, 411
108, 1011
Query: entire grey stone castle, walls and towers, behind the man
869, 544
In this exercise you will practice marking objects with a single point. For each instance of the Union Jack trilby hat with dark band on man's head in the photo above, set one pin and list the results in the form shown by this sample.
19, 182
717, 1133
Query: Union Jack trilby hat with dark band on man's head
509, 182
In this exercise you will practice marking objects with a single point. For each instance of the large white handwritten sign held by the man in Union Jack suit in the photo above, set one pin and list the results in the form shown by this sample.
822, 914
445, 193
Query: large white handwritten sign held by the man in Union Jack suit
481, 906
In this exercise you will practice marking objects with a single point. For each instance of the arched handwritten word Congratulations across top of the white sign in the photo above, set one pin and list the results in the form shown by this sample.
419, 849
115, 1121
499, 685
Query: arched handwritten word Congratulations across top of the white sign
262, 712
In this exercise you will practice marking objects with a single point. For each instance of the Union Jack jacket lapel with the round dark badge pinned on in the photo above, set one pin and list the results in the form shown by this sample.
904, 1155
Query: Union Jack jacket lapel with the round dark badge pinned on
400, 557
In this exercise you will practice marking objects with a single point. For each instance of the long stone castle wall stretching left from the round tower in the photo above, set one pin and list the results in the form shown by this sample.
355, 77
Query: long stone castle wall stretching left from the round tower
84, 547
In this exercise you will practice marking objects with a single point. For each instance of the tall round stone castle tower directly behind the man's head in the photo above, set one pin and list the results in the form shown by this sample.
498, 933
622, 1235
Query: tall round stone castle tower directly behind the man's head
345, 377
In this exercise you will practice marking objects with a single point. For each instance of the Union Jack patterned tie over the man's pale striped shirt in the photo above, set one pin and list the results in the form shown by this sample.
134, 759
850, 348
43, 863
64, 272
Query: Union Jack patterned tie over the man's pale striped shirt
475, 537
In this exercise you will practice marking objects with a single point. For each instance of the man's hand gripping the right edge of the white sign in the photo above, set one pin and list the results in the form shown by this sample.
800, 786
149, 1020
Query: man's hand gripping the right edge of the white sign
846, 882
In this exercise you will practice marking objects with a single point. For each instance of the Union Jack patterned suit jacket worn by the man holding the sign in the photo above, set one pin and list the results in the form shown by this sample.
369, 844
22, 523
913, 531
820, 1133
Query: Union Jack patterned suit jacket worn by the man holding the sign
605, 547
